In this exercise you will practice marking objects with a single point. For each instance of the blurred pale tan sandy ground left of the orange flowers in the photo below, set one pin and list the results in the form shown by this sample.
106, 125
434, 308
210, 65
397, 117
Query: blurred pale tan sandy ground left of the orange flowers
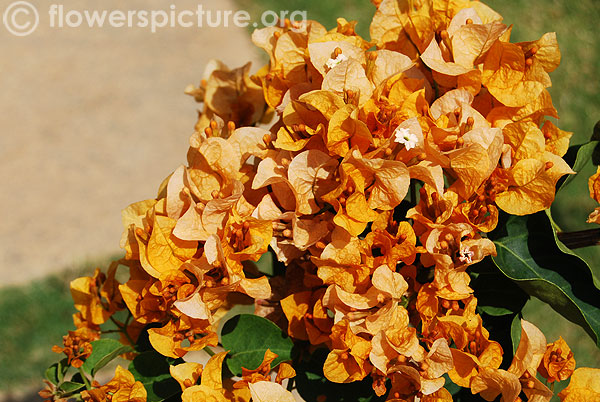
92, 120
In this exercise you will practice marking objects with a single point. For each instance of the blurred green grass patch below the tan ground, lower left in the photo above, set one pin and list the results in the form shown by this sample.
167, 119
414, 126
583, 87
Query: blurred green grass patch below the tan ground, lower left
34, 317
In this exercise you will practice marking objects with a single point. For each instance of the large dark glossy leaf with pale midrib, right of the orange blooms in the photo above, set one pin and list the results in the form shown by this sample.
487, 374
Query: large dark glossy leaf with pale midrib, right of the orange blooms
529, 255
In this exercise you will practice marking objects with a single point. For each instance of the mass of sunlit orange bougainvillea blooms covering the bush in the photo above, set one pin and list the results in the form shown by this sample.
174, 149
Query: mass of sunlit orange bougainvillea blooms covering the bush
319, 156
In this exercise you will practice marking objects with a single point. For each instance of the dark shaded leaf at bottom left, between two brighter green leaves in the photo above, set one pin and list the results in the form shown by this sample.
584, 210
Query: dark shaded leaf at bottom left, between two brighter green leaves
152, 370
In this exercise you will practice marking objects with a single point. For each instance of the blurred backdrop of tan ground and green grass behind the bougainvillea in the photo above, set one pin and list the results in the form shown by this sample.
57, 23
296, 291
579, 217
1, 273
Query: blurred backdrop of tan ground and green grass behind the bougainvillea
93, 119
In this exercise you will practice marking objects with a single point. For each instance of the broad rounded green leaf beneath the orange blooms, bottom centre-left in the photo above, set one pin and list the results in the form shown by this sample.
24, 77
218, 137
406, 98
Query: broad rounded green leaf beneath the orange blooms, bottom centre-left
247, 337
